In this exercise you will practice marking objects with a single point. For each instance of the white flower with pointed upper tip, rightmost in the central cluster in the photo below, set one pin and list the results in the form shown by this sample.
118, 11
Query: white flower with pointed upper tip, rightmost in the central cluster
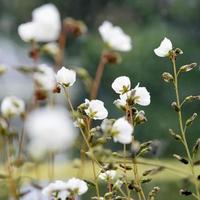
142, 96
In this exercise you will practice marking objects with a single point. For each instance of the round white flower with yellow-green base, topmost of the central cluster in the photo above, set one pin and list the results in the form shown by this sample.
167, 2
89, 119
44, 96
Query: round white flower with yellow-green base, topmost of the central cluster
121, 84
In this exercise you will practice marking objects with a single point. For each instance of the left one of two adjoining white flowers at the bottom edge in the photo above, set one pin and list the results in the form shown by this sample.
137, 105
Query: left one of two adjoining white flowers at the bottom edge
59, 187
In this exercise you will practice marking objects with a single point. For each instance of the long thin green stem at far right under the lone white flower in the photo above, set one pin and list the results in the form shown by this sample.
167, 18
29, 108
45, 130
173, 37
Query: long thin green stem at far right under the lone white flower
181, 125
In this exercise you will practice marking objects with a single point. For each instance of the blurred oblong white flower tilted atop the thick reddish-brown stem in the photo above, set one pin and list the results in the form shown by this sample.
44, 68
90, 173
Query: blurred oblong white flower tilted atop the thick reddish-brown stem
114, 37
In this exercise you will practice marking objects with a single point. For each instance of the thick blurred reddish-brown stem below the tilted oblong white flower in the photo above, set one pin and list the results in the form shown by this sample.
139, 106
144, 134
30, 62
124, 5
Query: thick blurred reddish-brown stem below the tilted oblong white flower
98, 76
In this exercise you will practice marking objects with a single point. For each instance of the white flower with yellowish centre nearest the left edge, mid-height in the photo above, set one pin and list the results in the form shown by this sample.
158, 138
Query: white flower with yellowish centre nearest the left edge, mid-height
12, 106
